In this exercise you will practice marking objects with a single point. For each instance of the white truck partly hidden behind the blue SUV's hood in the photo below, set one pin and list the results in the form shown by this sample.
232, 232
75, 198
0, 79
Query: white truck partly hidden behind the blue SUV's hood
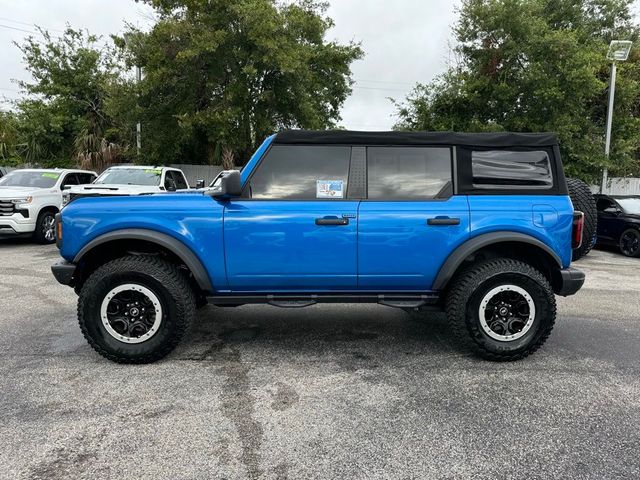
130, 180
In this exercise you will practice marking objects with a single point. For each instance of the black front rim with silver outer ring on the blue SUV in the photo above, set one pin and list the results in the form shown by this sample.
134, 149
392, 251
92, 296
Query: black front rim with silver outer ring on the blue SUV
131, 313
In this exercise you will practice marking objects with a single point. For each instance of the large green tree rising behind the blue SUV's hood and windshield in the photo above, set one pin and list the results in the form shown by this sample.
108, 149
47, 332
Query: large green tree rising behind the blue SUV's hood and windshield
221, 75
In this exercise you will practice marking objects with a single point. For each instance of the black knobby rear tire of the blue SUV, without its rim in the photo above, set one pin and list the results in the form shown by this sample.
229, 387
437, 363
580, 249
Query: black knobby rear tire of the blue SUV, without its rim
464, 297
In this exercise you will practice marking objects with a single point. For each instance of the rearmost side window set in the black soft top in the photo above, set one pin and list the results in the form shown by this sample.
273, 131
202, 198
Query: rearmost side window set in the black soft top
495, 169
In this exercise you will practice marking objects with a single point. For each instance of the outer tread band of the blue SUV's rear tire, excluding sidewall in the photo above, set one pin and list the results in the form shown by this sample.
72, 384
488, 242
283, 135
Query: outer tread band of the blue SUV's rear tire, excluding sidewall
463, 286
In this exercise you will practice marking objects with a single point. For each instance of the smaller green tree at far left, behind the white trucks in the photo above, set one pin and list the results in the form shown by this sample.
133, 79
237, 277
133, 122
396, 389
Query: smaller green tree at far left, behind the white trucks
62, 119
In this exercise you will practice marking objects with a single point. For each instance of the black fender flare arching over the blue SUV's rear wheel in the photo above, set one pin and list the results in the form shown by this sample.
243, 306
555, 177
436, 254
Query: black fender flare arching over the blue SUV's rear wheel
456, 258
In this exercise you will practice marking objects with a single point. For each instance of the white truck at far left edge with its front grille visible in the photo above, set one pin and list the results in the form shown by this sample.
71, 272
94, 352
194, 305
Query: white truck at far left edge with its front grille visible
30, 198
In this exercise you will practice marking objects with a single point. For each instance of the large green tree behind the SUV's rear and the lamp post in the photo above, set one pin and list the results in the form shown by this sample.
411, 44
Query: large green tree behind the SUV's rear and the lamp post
539, 65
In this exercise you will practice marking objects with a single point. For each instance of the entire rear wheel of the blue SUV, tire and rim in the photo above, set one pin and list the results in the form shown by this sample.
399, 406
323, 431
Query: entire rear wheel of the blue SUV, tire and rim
502, 309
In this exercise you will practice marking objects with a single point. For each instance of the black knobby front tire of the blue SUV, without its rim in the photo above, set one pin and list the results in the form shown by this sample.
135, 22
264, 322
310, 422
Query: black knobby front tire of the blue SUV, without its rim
165, 280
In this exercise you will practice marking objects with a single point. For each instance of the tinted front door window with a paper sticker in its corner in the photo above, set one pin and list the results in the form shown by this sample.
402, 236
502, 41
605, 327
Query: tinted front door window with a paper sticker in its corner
291, 172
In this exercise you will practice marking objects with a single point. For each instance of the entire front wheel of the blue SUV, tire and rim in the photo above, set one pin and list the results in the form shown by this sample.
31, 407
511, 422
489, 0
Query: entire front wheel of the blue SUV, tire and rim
135, 309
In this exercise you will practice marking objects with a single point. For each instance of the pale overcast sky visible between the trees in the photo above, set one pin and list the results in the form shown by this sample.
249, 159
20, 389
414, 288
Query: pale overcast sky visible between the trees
405, 41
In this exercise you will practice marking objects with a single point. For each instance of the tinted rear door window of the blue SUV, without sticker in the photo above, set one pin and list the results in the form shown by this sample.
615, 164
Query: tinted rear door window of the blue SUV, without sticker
407, 173
